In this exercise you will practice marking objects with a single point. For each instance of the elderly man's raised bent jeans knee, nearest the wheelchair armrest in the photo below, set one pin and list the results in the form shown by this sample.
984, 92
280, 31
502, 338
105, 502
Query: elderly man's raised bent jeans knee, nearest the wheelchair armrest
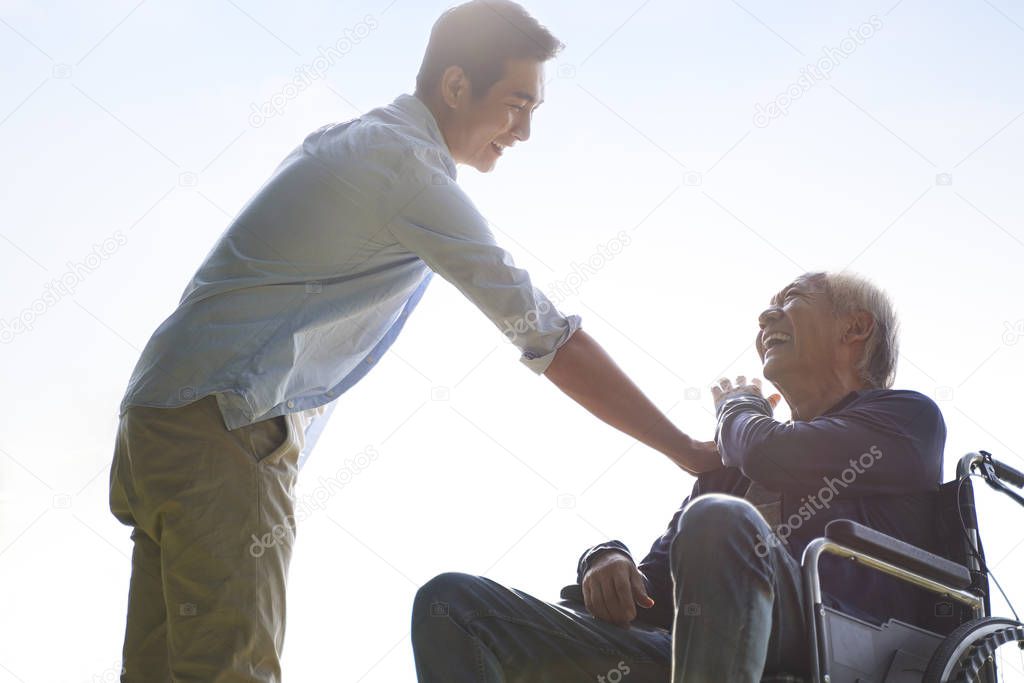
740, 602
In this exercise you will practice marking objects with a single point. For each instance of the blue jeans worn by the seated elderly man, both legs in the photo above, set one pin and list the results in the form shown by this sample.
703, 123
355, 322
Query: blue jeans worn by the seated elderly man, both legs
739, 614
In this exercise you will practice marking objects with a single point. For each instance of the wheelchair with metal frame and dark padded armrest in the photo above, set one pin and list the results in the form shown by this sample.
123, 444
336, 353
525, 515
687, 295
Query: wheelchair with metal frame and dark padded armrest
961, 644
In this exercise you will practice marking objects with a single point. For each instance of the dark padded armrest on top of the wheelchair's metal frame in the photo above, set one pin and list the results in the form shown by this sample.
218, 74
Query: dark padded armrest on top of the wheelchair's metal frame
867, 540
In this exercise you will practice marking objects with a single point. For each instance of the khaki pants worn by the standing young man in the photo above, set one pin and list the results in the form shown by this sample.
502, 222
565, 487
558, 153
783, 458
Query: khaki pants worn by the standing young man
212, 519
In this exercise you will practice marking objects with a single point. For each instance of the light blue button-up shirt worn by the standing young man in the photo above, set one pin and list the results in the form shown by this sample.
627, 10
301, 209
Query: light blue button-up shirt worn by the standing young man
314, 280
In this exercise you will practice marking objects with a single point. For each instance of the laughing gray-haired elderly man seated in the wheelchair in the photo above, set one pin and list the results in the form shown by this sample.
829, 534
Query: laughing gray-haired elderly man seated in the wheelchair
719, 597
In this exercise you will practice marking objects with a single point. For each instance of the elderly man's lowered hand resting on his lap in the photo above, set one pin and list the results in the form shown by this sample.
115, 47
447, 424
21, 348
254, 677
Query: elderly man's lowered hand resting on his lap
613, 588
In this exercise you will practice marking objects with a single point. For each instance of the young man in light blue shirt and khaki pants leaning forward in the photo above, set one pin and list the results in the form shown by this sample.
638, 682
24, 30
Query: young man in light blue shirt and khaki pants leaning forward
302, 296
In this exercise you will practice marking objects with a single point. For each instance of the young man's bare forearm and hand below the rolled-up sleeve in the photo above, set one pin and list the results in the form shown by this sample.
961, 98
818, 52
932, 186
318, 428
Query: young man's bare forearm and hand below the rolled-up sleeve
588, 375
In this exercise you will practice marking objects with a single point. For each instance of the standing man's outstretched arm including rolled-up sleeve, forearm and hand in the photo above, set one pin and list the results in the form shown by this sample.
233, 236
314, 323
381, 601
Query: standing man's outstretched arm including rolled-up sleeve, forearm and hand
430, 215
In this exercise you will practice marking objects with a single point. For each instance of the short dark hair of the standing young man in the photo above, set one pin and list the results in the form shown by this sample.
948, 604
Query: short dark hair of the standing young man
481, 36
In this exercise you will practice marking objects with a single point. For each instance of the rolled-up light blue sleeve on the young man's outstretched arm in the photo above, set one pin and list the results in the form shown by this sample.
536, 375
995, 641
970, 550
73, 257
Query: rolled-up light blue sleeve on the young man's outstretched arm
429, 215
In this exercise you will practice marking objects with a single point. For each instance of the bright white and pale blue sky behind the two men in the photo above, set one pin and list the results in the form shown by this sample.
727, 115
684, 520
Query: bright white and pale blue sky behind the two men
131, 122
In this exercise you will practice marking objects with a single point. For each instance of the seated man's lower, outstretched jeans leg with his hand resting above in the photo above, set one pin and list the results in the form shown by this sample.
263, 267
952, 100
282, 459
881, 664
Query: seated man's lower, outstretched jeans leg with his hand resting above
472, 629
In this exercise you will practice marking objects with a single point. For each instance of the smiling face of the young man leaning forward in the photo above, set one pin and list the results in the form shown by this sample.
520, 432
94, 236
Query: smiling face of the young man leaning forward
480, 131
